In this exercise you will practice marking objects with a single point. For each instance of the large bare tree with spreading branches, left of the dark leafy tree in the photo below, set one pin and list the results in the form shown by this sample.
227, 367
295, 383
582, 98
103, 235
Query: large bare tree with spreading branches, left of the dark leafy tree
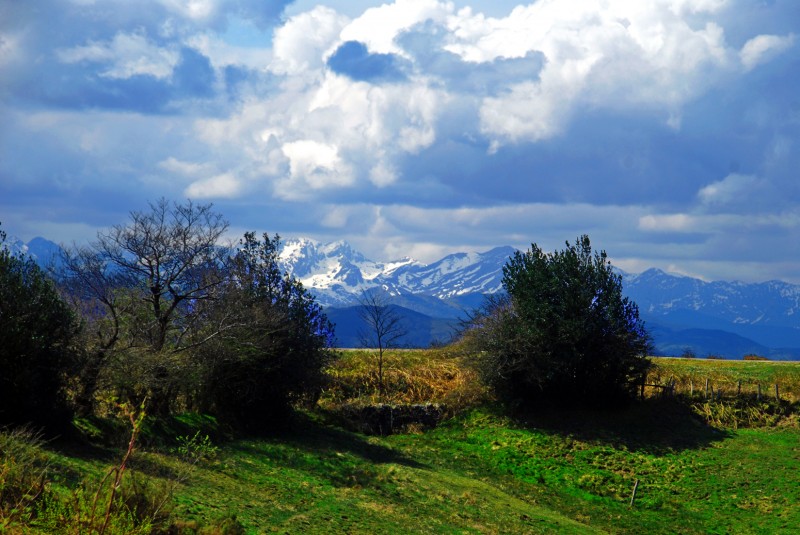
144, 285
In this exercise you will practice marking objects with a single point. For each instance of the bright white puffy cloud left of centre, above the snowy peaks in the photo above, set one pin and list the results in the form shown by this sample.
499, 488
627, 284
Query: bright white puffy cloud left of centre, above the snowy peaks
330, 134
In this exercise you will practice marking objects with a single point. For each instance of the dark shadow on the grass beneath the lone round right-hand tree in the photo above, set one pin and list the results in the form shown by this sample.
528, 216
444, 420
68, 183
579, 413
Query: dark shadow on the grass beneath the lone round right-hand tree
655, 425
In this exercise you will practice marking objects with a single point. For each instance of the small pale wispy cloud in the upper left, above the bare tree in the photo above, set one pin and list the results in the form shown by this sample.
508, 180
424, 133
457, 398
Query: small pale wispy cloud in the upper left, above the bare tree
129, 54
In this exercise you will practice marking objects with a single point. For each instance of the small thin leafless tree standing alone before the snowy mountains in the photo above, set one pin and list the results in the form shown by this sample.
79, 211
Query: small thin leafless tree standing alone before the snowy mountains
383, 326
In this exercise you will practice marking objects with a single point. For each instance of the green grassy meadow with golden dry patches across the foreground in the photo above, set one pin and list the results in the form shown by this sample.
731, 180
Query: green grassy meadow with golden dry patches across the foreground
668, 464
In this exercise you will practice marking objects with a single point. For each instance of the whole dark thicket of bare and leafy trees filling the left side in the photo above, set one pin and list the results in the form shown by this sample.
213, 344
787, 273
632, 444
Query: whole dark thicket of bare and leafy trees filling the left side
156, 309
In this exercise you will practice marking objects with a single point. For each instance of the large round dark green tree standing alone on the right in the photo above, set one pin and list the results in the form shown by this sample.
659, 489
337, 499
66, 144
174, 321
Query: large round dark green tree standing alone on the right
563, 333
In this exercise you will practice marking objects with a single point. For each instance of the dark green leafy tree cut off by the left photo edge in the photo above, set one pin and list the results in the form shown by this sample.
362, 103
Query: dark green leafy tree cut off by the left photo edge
37, 331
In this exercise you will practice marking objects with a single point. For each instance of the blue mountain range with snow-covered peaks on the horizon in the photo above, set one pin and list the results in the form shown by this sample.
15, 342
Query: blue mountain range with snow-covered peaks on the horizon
726, 319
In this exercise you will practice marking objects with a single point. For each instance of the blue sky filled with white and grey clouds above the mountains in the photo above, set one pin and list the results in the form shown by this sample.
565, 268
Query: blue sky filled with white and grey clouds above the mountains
666, 130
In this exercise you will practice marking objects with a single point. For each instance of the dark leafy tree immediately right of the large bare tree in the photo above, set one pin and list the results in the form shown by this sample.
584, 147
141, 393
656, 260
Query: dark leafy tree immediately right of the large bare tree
276, 354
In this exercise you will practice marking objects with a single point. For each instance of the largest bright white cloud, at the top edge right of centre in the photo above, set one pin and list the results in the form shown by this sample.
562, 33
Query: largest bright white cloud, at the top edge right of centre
612, 55
